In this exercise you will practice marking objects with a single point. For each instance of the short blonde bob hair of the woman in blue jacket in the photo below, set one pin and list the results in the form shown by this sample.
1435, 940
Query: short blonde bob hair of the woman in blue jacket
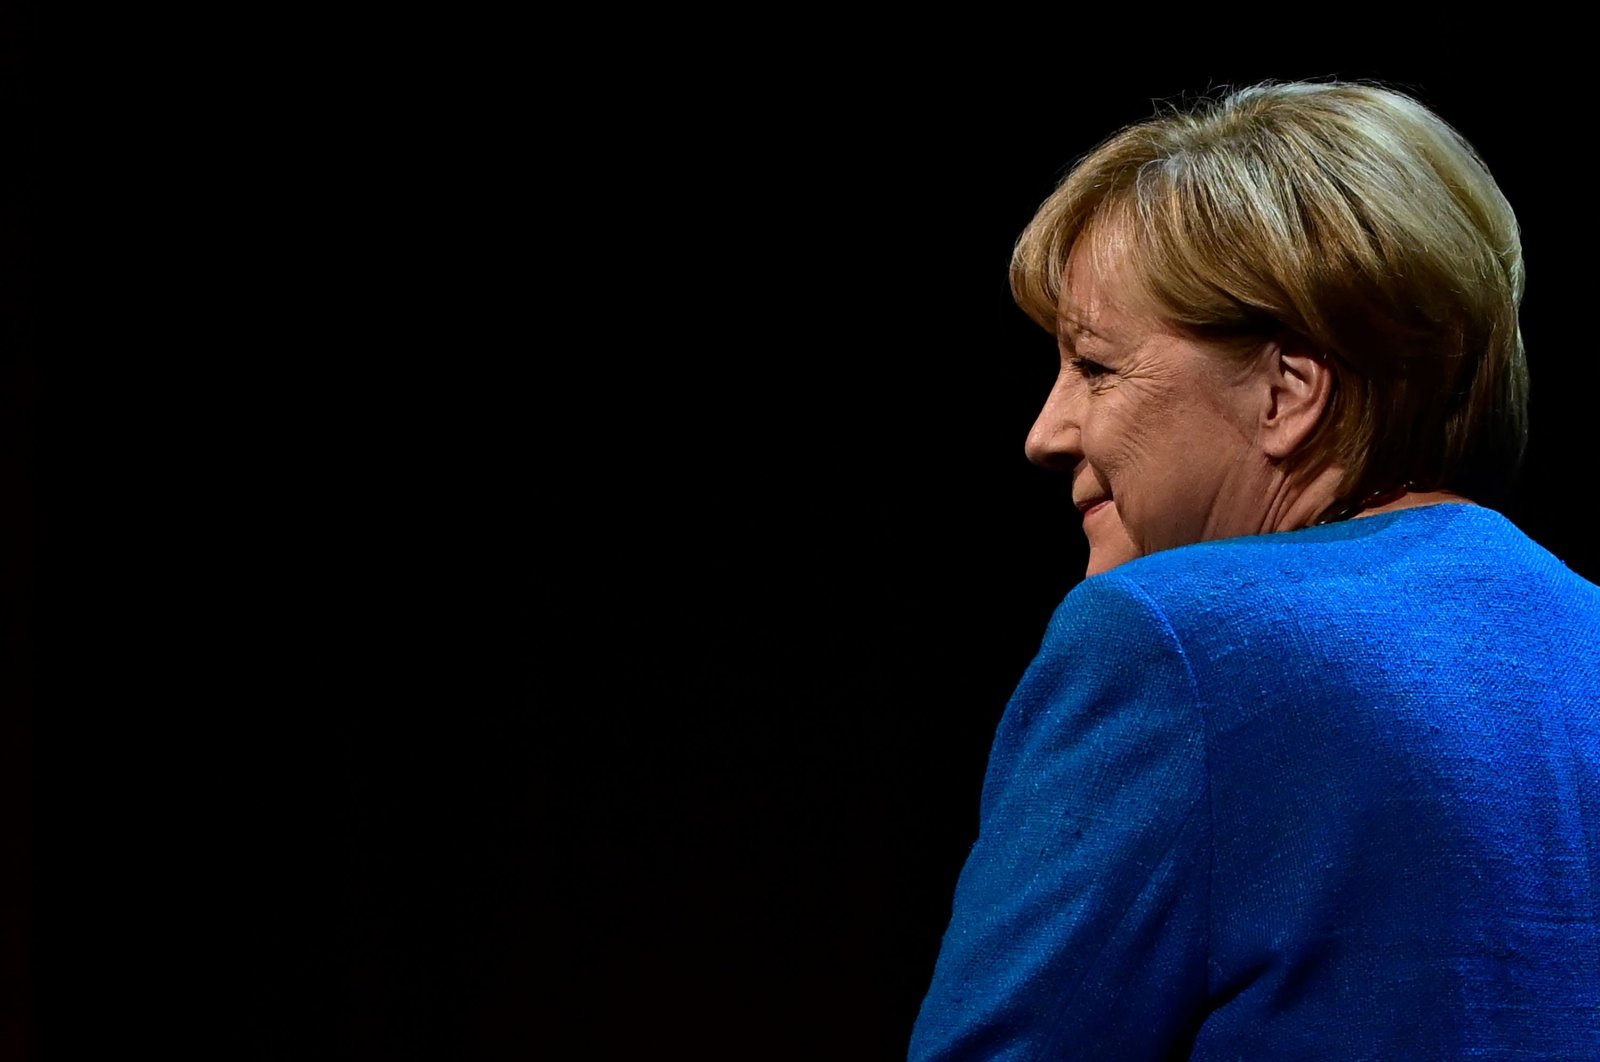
1345, 215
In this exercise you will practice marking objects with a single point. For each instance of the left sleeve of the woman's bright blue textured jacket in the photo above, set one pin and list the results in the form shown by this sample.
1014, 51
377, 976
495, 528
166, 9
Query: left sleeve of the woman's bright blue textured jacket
1079, 925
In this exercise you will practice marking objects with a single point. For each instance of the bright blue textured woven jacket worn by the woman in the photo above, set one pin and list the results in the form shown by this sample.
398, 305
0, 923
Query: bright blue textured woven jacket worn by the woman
1329, 794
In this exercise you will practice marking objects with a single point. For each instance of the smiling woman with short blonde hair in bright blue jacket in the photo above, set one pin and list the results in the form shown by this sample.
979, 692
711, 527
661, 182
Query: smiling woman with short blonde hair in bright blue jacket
1310, 769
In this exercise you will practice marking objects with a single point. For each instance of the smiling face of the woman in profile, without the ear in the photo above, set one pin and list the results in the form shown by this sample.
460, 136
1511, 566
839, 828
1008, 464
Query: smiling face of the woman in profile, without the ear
1154, 428
